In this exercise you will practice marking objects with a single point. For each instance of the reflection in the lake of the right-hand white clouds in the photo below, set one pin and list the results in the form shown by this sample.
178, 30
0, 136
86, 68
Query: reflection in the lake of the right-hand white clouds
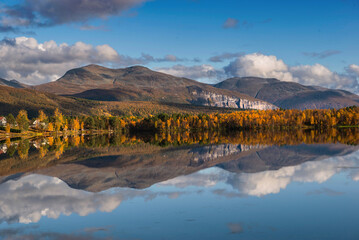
271, 181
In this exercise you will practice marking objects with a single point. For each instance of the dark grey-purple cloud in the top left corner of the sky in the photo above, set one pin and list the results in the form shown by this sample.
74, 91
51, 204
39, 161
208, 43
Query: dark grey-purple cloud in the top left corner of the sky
34, 13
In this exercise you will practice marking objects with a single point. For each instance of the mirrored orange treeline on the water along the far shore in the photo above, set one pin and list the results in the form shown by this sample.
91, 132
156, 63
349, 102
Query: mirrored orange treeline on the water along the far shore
59, 144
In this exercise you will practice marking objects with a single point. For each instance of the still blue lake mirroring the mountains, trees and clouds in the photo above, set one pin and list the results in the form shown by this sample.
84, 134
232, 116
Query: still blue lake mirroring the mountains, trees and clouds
243, 185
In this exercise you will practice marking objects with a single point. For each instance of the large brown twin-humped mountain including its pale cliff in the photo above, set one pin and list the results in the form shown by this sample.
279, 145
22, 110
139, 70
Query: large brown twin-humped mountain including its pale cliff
142, 84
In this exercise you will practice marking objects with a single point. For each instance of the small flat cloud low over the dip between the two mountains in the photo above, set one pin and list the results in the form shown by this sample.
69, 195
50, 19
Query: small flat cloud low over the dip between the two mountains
198, 72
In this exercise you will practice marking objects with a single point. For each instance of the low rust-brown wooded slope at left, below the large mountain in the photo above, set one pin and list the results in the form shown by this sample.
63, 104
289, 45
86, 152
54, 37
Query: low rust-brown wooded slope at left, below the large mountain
12, 100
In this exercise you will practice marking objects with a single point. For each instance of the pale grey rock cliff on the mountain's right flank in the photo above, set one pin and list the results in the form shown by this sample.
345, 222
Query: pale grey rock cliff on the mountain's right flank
217, 100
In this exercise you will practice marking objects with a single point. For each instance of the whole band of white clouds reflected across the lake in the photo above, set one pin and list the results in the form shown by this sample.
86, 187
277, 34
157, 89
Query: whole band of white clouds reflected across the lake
26, 199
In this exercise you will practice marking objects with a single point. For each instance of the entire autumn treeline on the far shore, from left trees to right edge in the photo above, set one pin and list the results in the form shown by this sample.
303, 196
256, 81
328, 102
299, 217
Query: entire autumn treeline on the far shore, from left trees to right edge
239, 120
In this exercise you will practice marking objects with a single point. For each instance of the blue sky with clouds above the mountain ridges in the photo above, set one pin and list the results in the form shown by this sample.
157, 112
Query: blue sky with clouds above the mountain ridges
309, 42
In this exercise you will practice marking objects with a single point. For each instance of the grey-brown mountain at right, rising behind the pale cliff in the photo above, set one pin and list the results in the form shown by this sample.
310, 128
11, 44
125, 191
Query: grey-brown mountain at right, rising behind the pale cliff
290, 95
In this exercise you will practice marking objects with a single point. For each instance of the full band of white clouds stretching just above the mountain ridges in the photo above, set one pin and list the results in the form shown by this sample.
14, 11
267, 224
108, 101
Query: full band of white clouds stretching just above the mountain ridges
31, 62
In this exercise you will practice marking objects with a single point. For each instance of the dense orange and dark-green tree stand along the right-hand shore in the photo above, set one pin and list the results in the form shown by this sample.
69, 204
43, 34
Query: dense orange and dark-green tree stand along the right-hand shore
254, 119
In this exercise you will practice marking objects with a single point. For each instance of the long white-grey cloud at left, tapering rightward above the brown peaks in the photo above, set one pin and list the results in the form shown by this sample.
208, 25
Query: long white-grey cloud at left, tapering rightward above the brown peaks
31, 62
